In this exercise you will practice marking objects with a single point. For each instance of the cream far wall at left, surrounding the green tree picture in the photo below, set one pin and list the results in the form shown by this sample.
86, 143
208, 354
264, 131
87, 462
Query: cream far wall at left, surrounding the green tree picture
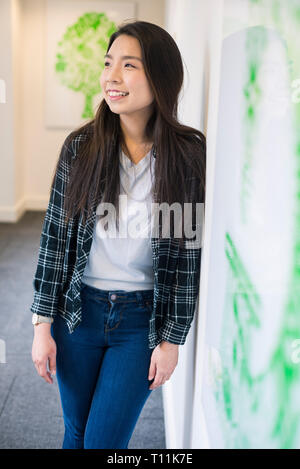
29, 151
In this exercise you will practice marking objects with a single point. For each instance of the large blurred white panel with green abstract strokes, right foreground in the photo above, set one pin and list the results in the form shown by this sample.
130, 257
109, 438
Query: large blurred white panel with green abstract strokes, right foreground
251, 394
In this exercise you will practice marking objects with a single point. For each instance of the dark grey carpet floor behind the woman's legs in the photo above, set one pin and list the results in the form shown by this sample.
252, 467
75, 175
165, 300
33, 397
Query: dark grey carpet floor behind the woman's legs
30, 410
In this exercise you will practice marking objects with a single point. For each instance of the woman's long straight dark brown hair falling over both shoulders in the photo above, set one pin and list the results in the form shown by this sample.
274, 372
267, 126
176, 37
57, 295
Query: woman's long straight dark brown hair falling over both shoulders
95, 171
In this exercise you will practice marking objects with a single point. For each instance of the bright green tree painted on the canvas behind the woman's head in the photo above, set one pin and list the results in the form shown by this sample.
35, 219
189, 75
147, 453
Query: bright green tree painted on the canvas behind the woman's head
80, 56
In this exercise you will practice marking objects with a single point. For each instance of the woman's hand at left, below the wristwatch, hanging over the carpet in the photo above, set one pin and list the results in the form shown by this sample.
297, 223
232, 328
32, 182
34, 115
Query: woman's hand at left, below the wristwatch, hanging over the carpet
44, 351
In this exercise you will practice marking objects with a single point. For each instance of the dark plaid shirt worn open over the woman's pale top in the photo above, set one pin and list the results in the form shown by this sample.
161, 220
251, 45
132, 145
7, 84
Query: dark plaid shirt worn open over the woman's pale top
63, 253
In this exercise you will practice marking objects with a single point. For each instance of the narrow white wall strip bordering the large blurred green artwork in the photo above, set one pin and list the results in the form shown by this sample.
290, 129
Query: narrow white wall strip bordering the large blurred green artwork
212, 14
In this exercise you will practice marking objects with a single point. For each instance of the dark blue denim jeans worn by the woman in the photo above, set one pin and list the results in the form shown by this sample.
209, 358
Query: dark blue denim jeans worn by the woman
102, 367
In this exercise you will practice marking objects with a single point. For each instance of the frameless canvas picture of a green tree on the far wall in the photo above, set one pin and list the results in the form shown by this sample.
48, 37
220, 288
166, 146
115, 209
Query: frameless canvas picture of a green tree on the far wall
77, 34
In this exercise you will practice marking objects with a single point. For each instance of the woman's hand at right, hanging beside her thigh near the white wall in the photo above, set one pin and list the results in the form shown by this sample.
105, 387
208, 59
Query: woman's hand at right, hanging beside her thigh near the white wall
164, 359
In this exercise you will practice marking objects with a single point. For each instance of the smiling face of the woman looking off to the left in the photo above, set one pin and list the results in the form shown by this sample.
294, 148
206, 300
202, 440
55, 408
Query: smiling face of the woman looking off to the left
126, 74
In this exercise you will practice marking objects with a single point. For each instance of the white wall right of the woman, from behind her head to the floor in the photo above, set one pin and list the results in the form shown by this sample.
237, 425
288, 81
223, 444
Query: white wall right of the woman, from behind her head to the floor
195, 25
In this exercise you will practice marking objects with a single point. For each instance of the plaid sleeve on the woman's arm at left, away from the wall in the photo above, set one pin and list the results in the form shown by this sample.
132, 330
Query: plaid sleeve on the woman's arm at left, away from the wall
47, 279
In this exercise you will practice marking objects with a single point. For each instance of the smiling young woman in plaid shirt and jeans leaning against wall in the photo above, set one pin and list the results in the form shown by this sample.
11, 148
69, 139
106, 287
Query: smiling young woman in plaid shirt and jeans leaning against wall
111, 312
